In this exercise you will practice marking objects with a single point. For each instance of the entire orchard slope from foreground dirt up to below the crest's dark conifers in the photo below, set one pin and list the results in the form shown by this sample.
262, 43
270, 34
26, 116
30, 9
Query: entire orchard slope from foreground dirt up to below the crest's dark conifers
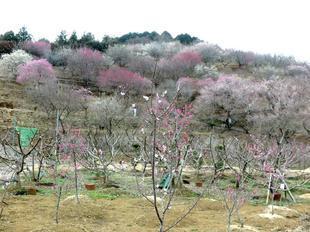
196, 131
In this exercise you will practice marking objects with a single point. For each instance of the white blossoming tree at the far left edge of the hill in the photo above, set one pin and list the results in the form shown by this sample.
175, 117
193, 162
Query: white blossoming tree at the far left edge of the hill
10, 62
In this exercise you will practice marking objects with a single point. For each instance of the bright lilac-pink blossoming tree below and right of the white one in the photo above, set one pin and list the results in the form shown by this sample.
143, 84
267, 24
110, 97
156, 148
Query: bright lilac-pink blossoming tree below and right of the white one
35, 70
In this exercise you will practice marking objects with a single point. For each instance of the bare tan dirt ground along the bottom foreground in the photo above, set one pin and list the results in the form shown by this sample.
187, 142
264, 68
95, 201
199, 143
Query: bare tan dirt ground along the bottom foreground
36, 213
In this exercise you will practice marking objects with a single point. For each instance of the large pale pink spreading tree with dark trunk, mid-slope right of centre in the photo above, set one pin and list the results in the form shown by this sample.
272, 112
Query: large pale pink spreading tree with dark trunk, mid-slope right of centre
227, 101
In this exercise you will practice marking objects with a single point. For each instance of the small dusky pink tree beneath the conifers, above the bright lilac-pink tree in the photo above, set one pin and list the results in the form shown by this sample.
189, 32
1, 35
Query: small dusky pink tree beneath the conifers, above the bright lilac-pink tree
39, 48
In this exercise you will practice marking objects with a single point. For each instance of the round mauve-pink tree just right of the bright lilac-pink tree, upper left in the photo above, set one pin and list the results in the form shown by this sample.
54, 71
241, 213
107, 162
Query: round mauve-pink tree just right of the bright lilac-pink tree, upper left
86, 64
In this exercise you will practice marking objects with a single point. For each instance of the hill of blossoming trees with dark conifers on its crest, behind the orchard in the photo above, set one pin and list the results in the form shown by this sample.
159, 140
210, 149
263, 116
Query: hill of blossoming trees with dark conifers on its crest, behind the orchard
229, 89
